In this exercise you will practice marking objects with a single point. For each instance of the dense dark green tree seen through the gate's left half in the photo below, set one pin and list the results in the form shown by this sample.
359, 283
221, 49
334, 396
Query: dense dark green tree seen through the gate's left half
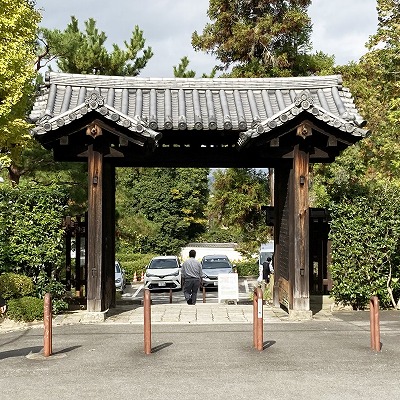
160, 209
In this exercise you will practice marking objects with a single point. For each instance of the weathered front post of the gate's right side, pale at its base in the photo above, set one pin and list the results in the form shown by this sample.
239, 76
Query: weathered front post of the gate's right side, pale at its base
300, 239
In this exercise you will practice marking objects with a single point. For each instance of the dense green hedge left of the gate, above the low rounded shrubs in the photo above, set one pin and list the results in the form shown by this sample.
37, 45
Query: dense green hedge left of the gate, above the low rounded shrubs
31, 235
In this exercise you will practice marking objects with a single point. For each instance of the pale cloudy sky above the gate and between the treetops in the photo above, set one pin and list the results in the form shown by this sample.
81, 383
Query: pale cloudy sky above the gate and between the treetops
340, 27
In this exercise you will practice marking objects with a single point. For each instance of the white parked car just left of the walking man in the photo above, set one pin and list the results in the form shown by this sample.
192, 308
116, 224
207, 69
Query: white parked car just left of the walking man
163, 272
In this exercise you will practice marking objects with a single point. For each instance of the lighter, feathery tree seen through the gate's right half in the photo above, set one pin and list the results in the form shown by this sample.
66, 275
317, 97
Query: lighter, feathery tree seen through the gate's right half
234, 207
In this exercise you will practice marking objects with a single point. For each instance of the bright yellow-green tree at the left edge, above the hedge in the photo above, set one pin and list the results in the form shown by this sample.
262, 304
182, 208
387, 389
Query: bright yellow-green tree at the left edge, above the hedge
18, 25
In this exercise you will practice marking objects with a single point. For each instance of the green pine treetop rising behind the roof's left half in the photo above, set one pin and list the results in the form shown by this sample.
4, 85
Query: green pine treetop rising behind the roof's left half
85, 52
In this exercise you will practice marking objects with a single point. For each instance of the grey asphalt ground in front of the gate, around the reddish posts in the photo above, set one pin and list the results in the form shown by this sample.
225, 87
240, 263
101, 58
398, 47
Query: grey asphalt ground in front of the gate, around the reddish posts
328, 357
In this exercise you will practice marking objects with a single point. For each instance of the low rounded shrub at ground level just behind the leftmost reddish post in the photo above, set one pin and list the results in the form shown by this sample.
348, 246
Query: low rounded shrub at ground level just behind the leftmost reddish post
25, 309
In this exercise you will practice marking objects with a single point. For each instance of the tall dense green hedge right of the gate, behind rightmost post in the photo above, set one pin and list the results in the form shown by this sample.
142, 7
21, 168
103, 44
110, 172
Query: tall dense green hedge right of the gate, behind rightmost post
365, 233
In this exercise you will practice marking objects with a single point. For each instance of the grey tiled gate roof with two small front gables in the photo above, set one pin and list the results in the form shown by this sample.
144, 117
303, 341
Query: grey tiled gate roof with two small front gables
149, 106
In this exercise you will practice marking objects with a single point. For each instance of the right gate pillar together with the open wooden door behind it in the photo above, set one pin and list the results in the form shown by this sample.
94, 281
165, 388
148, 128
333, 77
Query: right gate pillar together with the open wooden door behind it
291, 235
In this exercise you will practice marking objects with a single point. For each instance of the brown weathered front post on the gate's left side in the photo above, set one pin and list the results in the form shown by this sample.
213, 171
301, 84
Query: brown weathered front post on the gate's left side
95, 230
